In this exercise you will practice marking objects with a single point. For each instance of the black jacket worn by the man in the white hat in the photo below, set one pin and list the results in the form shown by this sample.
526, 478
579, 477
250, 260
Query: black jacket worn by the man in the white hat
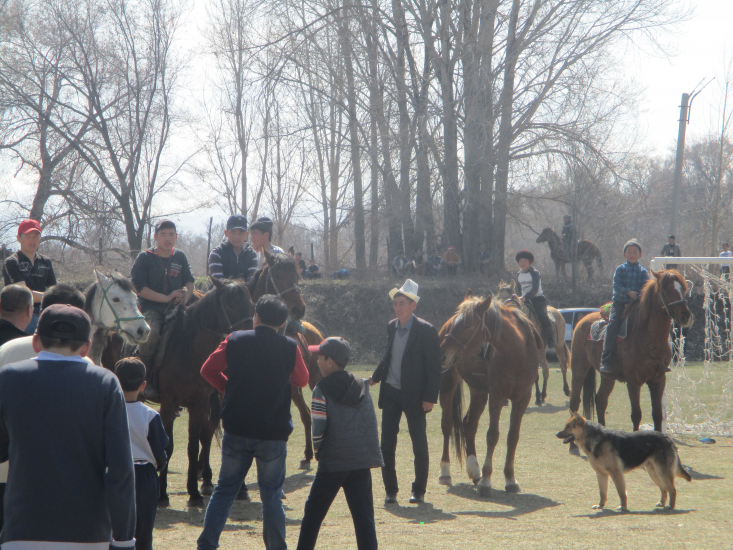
420, 365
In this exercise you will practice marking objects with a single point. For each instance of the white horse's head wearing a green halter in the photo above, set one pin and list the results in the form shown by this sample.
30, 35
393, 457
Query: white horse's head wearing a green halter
111, 304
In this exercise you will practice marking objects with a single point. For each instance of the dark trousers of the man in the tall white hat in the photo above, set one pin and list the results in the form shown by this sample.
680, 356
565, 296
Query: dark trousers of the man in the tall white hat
416, 424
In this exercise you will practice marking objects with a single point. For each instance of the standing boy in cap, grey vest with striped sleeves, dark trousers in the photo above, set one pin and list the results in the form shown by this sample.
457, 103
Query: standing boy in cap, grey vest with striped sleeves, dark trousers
346, 444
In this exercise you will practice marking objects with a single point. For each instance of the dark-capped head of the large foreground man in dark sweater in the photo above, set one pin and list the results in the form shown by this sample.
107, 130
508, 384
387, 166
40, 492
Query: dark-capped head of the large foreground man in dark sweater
63, 329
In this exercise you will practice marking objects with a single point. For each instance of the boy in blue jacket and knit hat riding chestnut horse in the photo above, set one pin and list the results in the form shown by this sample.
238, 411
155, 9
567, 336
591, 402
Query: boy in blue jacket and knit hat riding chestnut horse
628, 280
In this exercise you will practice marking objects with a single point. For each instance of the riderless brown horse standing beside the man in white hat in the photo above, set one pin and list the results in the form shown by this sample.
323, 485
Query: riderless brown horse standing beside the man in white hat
507, 371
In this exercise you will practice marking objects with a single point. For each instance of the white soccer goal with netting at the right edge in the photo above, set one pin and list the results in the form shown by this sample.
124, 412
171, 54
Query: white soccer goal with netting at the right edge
699, 390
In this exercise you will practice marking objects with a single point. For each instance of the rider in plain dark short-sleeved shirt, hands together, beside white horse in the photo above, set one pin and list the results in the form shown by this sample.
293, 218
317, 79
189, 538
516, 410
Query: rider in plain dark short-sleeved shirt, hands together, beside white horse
161, 276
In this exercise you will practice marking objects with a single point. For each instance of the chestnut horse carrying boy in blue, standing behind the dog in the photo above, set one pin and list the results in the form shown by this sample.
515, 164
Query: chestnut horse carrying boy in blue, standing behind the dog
641, 358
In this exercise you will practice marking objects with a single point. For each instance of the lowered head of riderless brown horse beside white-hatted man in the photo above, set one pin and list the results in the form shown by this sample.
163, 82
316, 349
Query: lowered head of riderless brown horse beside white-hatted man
467, 330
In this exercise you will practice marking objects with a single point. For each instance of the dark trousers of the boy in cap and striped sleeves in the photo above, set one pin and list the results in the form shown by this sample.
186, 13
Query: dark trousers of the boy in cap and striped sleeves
357, 485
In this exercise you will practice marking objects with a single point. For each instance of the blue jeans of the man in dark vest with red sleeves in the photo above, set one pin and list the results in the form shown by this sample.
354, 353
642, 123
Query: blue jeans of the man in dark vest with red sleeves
237, 453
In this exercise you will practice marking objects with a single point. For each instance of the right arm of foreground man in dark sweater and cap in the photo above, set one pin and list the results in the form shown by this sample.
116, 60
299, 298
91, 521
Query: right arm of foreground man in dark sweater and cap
119, 477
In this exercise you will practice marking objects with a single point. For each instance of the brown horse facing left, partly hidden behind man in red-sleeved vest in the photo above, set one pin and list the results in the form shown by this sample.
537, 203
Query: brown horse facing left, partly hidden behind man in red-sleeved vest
279, 276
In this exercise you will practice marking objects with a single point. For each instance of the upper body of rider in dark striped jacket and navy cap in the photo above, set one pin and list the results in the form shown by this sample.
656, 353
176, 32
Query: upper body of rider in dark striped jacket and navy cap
233, 258
